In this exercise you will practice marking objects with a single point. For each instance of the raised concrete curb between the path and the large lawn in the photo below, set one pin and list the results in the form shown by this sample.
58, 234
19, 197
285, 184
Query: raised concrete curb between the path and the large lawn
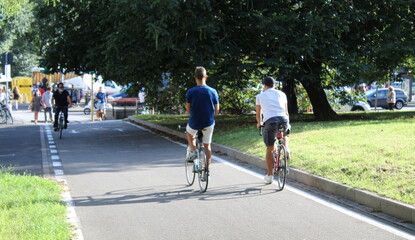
391, 207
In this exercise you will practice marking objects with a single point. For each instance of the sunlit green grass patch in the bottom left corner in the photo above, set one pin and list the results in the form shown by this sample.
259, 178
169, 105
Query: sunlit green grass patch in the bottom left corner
30, 208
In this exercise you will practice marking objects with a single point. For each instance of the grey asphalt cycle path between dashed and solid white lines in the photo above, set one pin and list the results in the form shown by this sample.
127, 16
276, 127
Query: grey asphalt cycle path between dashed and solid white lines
129, 183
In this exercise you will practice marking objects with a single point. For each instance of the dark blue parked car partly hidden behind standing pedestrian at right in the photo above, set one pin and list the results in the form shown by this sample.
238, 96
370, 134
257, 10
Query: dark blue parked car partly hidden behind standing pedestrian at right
382, 94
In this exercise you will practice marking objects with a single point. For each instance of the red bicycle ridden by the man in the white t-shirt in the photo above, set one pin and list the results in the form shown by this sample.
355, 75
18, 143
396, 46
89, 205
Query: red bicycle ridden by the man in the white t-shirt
280, 167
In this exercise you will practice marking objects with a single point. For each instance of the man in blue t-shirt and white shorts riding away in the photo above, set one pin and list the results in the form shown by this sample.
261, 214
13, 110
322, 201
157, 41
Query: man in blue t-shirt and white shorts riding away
202, 103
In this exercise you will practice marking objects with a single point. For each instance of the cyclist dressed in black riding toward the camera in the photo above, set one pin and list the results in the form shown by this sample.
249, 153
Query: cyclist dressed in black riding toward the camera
61, 101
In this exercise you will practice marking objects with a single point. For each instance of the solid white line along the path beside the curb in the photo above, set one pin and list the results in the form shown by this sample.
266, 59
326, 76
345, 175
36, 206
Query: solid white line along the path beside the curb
317, 199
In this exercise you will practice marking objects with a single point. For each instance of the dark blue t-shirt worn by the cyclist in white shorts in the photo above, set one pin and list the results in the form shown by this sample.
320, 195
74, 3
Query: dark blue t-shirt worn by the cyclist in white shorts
202, 110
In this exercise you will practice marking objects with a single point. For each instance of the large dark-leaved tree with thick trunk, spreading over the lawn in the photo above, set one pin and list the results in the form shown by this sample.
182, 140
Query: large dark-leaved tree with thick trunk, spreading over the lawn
318, 43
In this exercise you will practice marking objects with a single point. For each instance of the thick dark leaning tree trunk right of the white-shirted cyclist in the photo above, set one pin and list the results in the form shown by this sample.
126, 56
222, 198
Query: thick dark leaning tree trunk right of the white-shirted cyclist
318, 98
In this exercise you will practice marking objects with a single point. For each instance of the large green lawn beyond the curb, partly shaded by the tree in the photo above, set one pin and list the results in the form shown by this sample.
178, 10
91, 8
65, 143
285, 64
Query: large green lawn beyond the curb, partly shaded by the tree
372, 151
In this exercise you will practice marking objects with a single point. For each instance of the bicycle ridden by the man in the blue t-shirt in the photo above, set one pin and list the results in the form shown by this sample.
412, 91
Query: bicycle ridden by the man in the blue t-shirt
198, 165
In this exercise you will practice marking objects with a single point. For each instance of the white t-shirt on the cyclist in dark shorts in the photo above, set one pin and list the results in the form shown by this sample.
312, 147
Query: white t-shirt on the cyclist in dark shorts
272, 103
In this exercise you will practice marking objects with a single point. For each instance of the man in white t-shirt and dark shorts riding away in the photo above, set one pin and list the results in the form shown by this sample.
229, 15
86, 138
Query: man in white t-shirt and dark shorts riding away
272, 104
